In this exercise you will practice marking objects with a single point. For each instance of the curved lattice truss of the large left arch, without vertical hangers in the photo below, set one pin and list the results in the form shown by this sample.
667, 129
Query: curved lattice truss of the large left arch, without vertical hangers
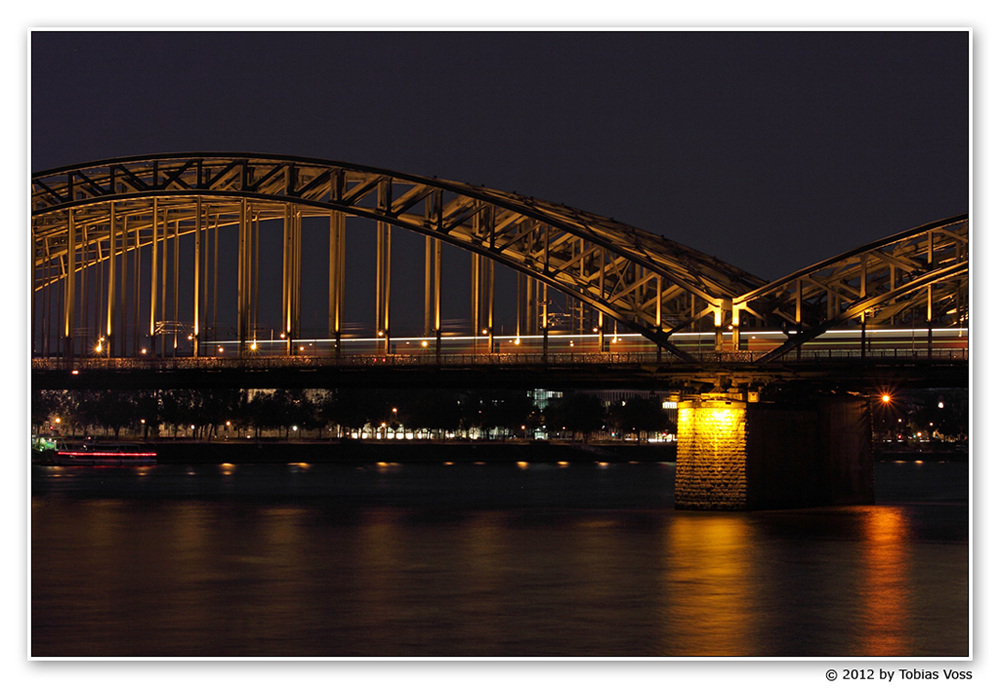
648, 283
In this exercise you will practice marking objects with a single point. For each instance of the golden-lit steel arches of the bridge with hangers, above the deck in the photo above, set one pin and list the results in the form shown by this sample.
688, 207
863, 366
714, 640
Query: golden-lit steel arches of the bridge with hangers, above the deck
109, 238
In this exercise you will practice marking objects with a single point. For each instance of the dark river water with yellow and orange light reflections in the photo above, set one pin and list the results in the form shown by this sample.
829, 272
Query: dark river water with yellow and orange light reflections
486, 560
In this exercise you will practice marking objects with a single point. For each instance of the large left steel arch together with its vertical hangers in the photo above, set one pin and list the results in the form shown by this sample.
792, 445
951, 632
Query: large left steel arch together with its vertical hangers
98, 213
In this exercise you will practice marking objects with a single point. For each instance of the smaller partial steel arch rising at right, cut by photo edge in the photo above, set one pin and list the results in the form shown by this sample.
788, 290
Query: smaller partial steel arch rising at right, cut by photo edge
919, 277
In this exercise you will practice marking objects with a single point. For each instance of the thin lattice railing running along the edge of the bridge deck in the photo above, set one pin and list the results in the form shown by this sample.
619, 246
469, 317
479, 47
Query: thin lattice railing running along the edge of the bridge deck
250, 363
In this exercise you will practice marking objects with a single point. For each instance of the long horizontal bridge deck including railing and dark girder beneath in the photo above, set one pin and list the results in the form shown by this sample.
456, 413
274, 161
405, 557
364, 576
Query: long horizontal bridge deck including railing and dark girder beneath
586, 370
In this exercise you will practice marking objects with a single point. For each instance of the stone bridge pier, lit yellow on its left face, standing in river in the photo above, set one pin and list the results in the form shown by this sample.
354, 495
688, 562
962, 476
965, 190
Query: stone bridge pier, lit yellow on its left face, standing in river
734, 455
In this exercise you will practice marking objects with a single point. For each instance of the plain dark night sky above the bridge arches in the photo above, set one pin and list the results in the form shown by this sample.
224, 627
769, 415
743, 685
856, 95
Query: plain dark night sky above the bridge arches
770, 150
